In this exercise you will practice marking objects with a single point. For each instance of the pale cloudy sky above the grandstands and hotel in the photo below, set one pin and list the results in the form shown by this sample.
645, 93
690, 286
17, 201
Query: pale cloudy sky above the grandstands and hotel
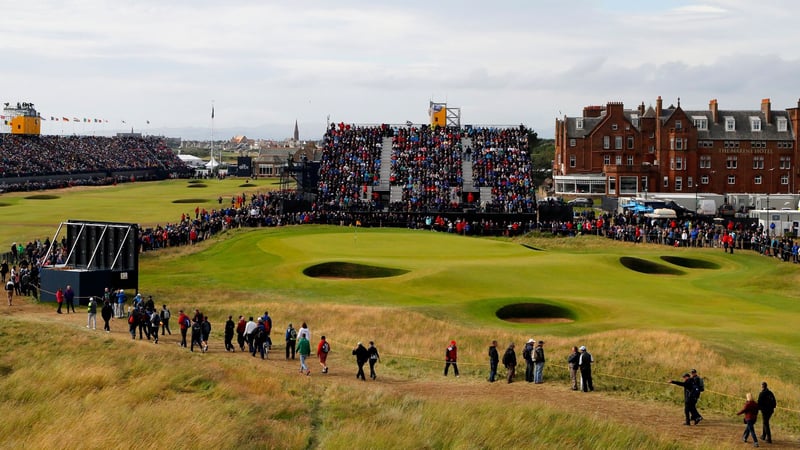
161, 66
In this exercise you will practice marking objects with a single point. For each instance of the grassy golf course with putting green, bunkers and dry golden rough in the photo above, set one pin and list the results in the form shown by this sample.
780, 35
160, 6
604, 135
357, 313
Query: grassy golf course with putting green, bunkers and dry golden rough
646, 313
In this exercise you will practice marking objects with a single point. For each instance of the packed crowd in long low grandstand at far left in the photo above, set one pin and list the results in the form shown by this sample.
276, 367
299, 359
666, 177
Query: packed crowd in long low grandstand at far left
53, 155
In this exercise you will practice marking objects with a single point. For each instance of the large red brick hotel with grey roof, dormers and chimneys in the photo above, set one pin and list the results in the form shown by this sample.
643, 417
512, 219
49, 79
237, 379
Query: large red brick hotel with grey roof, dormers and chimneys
610, 150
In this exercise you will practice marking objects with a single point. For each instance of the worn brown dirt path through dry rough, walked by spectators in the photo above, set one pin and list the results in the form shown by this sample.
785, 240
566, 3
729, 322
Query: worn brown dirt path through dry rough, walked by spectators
715, 430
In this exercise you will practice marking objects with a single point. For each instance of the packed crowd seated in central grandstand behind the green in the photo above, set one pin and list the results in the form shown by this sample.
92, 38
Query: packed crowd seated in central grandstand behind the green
427, 164
